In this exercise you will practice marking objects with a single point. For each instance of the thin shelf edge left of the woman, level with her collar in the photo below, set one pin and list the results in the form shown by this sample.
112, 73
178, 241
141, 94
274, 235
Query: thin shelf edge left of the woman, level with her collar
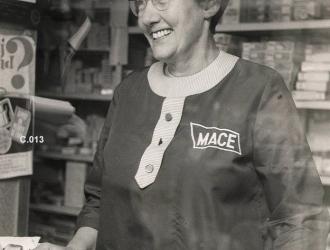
90, 97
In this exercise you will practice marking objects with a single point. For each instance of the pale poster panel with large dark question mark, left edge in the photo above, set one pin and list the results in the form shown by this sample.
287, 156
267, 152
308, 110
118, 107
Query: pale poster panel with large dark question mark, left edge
17, 63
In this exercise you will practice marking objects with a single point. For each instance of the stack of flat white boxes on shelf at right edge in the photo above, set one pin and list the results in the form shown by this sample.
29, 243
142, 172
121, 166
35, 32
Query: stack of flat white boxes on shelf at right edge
314, 78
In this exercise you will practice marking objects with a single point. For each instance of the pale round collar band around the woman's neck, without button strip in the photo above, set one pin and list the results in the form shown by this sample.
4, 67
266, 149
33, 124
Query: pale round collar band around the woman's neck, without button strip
169, 86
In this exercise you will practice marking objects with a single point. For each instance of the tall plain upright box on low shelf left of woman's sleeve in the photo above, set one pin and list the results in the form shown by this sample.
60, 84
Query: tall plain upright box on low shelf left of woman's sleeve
75, 175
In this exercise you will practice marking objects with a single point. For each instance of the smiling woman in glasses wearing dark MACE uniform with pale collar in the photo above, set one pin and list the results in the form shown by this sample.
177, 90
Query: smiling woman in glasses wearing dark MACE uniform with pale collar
202, 150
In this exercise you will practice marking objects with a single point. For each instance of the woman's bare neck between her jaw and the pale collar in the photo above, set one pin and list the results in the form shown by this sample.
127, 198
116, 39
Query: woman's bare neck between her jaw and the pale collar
195, 62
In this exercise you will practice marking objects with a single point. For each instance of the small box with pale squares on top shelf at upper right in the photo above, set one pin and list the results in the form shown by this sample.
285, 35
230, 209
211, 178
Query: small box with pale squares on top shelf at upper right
280, 11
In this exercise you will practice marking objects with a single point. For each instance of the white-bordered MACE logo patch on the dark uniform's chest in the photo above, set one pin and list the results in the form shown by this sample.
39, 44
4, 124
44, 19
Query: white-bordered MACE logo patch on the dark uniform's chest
212, 137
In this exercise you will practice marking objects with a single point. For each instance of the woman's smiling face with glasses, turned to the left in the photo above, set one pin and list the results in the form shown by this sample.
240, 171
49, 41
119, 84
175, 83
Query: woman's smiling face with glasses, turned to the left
174, 34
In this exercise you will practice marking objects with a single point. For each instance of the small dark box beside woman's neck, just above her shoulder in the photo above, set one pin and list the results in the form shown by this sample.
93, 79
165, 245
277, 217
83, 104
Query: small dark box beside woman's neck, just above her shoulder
228, 43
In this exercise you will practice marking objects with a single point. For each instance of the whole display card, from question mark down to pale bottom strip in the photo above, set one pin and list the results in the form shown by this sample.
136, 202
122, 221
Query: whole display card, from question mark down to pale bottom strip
17, 82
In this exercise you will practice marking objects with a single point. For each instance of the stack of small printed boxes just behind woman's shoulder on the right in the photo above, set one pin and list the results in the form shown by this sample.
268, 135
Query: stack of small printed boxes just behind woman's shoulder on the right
279, 55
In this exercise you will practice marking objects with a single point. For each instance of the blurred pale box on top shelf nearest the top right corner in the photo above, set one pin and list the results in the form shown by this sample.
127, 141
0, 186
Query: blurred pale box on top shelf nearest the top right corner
306, 9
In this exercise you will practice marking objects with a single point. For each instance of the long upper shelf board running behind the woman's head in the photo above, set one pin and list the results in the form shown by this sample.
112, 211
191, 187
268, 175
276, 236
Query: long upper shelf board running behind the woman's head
265, 27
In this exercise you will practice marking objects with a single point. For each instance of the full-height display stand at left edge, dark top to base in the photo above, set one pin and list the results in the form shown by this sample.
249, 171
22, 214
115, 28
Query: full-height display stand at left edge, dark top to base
18, 43
